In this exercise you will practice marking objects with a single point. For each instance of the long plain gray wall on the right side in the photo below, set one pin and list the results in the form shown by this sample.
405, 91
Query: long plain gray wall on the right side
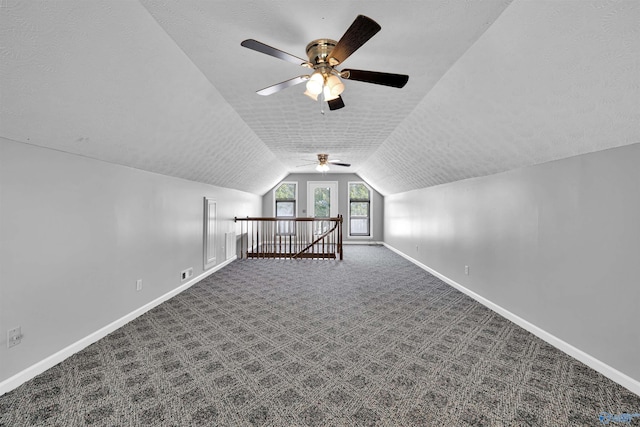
557, 244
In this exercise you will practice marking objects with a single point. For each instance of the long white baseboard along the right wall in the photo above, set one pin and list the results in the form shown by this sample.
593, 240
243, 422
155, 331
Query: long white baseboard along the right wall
606, 370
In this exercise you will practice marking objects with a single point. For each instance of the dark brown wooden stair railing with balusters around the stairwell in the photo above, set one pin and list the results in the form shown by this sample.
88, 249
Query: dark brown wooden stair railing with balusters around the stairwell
291, 237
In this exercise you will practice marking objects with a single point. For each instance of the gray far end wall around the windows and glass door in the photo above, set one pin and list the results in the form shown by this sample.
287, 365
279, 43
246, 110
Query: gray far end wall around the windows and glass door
377, 201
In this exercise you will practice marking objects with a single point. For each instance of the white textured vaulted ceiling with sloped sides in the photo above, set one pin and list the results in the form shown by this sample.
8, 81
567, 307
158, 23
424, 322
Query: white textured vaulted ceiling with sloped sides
165, 86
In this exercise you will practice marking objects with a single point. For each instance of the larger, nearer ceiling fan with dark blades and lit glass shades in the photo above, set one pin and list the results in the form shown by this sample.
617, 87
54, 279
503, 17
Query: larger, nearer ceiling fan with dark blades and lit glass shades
324, 55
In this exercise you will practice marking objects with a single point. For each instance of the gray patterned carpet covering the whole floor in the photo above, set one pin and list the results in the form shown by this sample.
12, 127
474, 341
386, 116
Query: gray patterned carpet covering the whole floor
371, 340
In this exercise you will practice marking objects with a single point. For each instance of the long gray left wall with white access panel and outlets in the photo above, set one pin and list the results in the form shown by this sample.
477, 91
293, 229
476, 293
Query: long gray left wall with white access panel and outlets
76, 234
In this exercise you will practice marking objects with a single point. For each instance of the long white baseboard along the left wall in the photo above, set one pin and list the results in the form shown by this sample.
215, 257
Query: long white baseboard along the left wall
39, 367
